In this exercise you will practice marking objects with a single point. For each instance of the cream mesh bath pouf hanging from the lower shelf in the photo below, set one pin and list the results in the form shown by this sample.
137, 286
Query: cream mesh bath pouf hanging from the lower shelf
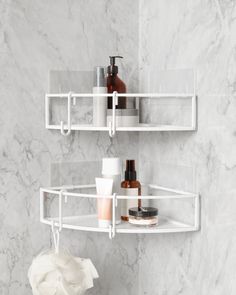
61, 274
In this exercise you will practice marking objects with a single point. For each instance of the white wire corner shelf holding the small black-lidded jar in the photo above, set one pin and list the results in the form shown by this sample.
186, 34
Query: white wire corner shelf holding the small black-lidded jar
89, 222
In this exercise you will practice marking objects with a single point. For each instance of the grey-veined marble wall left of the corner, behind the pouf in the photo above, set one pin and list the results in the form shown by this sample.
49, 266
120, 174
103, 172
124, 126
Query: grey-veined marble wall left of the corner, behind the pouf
37, 37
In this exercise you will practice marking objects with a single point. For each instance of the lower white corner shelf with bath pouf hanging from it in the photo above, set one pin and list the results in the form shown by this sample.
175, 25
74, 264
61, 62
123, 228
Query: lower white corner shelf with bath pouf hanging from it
167, 223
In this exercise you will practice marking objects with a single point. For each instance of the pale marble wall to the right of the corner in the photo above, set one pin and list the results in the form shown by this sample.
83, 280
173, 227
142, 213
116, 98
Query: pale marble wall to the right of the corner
196, 34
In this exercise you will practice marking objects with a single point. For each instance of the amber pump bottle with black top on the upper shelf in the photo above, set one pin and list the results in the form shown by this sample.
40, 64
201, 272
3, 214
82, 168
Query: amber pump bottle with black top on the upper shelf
114, 83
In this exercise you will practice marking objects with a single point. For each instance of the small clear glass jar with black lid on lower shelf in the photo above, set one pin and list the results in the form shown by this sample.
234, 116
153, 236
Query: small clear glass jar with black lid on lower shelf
144, 216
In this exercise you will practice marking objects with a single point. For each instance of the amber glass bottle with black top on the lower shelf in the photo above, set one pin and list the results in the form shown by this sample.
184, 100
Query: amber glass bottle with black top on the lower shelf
130, 187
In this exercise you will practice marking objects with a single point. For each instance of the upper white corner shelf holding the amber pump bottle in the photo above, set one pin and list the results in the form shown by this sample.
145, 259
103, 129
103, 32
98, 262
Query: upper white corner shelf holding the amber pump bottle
67, 127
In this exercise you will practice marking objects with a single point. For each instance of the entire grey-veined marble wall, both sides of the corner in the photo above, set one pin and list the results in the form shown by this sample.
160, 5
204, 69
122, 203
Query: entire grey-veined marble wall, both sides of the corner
38, 37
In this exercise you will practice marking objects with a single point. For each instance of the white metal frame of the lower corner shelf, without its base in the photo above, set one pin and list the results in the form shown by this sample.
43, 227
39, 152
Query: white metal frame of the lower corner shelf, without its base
62, 193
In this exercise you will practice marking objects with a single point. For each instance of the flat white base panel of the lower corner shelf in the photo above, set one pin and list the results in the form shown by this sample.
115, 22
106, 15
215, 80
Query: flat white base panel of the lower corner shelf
90, 223
